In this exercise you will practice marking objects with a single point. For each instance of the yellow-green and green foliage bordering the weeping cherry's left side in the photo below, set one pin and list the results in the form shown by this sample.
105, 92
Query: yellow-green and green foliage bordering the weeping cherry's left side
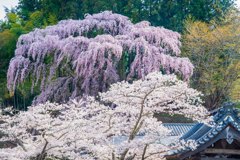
11, 29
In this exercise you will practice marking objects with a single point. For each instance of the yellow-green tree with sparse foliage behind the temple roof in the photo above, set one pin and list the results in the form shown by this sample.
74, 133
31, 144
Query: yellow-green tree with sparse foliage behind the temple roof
214, 50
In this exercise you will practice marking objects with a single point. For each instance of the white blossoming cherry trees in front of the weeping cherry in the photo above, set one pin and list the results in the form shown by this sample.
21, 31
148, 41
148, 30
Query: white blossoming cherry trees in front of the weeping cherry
90, 129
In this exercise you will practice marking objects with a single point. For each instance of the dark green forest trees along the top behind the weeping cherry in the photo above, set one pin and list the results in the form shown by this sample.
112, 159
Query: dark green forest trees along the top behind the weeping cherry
170, 14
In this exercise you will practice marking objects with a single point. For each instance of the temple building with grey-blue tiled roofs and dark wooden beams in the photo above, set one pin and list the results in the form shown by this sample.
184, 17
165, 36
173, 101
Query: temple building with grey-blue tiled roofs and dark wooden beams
219, 141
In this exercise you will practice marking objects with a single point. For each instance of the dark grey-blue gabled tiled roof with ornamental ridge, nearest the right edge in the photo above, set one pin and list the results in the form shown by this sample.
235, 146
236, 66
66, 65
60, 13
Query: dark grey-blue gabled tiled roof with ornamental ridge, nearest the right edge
204, 134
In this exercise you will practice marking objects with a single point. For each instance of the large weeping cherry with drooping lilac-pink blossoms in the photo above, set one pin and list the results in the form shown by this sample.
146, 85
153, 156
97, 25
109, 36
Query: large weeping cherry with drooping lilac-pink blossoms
77, 57
